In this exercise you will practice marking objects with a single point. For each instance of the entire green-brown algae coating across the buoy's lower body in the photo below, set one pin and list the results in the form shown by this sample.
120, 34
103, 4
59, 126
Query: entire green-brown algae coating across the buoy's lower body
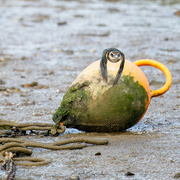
116, 109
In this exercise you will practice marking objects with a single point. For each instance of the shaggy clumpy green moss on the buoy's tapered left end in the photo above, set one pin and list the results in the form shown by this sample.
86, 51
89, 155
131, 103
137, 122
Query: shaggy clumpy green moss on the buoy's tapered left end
73, 106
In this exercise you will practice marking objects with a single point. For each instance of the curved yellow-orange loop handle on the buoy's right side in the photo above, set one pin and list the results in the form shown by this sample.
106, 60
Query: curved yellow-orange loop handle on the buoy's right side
163, 68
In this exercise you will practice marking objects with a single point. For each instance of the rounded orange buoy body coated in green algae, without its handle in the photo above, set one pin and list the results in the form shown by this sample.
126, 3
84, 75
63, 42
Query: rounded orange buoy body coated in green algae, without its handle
94, 105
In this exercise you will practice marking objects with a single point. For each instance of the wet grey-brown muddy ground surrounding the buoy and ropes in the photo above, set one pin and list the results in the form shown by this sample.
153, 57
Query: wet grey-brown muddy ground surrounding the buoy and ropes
51, 42
